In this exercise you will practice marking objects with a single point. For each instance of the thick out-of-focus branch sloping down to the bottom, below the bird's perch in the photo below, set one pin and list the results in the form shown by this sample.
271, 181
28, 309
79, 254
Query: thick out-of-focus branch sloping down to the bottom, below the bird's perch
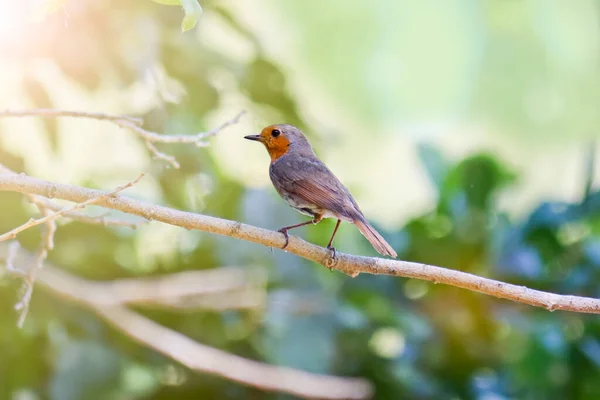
194, 355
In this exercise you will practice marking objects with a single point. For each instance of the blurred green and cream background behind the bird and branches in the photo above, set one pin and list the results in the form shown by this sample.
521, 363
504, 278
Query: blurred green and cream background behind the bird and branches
465, 129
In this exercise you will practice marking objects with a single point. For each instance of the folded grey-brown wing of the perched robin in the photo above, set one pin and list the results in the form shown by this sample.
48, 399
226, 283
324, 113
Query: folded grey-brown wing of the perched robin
313, 182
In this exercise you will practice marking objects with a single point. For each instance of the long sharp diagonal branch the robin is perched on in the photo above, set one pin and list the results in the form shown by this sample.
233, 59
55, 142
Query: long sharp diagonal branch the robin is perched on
349, 264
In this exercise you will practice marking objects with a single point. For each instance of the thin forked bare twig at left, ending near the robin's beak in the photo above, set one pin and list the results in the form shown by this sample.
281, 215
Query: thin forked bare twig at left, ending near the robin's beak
134, 125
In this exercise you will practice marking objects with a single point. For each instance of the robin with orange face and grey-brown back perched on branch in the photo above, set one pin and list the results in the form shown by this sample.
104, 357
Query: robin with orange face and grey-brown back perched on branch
307, 185
